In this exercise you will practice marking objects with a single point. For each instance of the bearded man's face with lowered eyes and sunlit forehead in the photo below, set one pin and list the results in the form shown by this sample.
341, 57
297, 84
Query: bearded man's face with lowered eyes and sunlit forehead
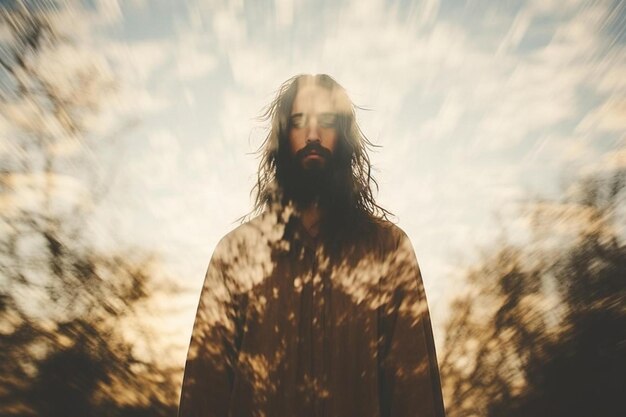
313, 133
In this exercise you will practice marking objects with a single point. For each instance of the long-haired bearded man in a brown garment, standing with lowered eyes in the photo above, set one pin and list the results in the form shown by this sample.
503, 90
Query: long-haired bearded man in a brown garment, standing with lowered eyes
316, 306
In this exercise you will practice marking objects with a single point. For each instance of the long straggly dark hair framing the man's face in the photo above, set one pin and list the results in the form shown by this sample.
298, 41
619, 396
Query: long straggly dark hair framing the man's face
352, 148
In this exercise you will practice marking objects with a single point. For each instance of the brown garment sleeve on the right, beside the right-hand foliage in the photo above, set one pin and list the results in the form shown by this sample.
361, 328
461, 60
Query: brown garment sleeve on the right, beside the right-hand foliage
409, 383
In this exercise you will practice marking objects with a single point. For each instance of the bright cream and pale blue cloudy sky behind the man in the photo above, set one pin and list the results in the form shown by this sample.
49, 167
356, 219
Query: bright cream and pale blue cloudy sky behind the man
478, 106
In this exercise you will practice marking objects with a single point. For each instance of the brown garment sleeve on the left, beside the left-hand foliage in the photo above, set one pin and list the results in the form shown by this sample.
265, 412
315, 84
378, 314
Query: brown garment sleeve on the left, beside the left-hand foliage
209, 369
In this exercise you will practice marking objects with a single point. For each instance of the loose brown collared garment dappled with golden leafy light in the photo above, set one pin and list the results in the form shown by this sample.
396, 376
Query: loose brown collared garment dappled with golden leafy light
285, 329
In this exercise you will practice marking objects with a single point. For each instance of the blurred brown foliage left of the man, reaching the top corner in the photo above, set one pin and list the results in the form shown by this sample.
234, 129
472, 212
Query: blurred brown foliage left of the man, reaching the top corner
66, 308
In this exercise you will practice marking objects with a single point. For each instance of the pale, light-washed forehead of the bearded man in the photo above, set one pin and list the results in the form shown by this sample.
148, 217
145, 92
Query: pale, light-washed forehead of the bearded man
312, 98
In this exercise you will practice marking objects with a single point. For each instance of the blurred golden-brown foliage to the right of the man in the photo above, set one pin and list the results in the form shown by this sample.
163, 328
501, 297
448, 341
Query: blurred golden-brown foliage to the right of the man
541, 331
